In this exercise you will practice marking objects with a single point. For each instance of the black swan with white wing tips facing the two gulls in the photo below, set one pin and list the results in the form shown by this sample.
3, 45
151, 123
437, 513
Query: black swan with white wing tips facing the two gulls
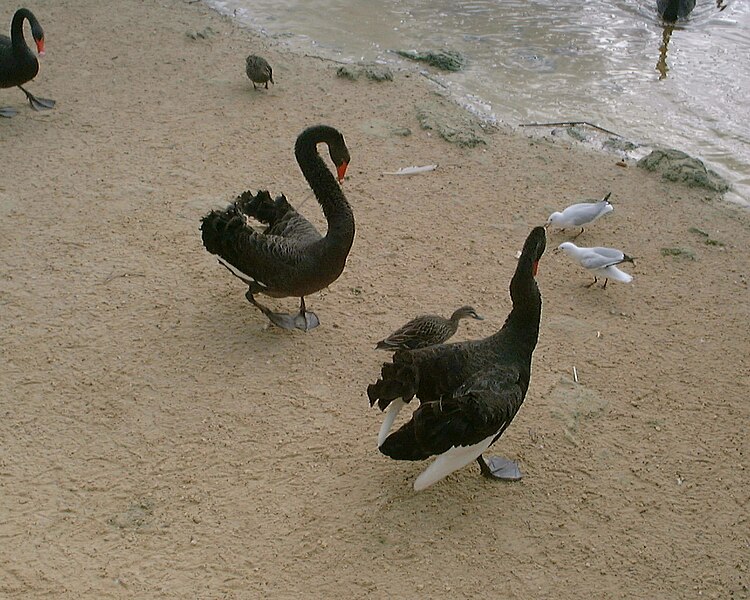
469, 392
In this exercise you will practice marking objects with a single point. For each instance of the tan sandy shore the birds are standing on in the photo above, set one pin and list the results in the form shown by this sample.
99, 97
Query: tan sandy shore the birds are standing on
160, 440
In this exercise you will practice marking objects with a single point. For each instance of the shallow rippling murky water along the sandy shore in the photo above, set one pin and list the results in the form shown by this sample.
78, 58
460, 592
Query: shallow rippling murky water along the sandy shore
612, 63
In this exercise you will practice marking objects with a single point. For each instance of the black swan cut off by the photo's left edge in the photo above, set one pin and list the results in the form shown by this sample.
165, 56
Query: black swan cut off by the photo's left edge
18, 63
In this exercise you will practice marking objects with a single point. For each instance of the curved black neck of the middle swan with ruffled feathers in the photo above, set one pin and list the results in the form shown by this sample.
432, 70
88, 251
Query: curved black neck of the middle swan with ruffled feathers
327, 191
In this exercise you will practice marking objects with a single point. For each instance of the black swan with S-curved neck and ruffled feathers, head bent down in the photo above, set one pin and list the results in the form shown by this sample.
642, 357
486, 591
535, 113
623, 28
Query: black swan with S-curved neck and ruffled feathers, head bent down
290, 257
